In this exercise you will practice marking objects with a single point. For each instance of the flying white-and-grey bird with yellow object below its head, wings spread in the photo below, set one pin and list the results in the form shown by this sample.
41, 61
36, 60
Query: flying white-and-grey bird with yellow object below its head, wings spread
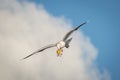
60, 45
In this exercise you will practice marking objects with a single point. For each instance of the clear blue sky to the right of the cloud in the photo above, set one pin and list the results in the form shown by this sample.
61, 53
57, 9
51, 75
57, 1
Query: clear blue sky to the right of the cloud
103, 28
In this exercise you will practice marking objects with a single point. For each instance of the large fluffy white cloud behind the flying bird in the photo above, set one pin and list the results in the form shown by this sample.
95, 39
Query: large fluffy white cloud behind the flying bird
24, 28
